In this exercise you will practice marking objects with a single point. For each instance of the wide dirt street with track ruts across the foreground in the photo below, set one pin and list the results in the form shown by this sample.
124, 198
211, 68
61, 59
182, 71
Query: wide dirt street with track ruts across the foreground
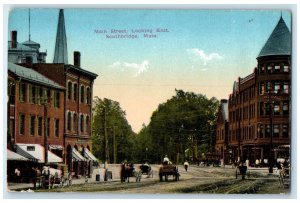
198, 179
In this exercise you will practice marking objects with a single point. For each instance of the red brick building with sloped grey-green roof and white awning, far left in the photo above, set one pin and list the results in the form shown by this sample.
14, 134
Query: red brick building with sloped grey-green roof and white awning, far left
35, 108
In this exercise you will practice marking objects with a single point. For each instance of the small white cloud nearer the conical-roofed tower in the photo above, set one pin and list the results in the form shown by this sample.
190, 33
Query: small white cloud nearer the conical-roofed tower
199, 55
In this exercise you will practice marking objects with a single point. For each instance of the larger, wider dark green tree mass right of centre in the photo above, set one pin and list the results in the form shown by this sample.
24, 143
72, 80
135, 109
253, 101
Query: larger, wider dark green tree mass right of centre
186, 122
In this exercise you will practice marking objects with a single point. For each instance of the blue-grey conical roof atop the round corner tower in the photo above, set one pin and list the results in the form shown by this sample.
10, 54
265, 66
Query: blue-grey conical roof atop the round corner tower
279, 42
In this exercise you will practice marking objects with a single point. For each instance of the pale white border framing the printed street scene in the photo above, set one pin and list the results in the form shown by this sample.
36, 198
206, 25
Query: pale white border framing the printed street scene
179, 4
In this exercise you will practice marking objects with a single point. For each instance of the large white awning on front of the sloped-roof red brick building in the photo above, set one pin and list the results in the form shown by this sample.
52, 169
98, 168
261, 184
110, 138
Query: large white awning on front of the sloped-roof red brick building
36, 152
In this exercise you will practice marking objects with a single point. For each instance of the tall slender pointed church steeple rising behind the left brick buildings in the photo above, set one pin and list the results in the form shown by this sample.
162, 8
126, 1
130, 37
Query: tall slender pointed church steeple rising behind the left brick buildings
61, 52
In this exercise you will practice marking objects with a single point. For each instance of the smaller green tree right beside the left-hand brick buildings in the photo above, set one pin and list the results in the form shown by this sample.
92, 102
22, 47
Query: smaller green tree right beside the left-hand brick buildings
109, 121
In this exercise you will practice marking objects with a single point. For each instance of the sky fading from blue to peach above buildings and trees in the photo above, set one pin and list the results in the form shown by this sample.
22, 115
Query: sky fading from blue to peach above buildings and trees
203, 51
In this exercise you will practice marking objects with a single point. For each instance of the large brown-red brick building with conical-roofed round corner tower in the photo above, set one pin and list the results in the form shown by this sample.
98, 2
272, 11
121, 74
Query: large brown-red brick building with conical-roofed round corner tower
259, 105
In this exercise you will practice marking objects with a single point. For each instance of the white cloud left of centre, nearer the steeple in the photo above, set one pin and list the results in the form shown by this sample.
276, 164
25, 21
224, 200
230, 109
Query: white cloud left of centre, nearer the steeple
134, 68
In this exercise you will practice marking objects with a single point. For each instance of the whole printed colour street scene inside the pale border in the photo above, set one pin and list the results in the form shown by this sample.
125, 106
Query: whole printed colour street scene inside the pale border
149, 101
